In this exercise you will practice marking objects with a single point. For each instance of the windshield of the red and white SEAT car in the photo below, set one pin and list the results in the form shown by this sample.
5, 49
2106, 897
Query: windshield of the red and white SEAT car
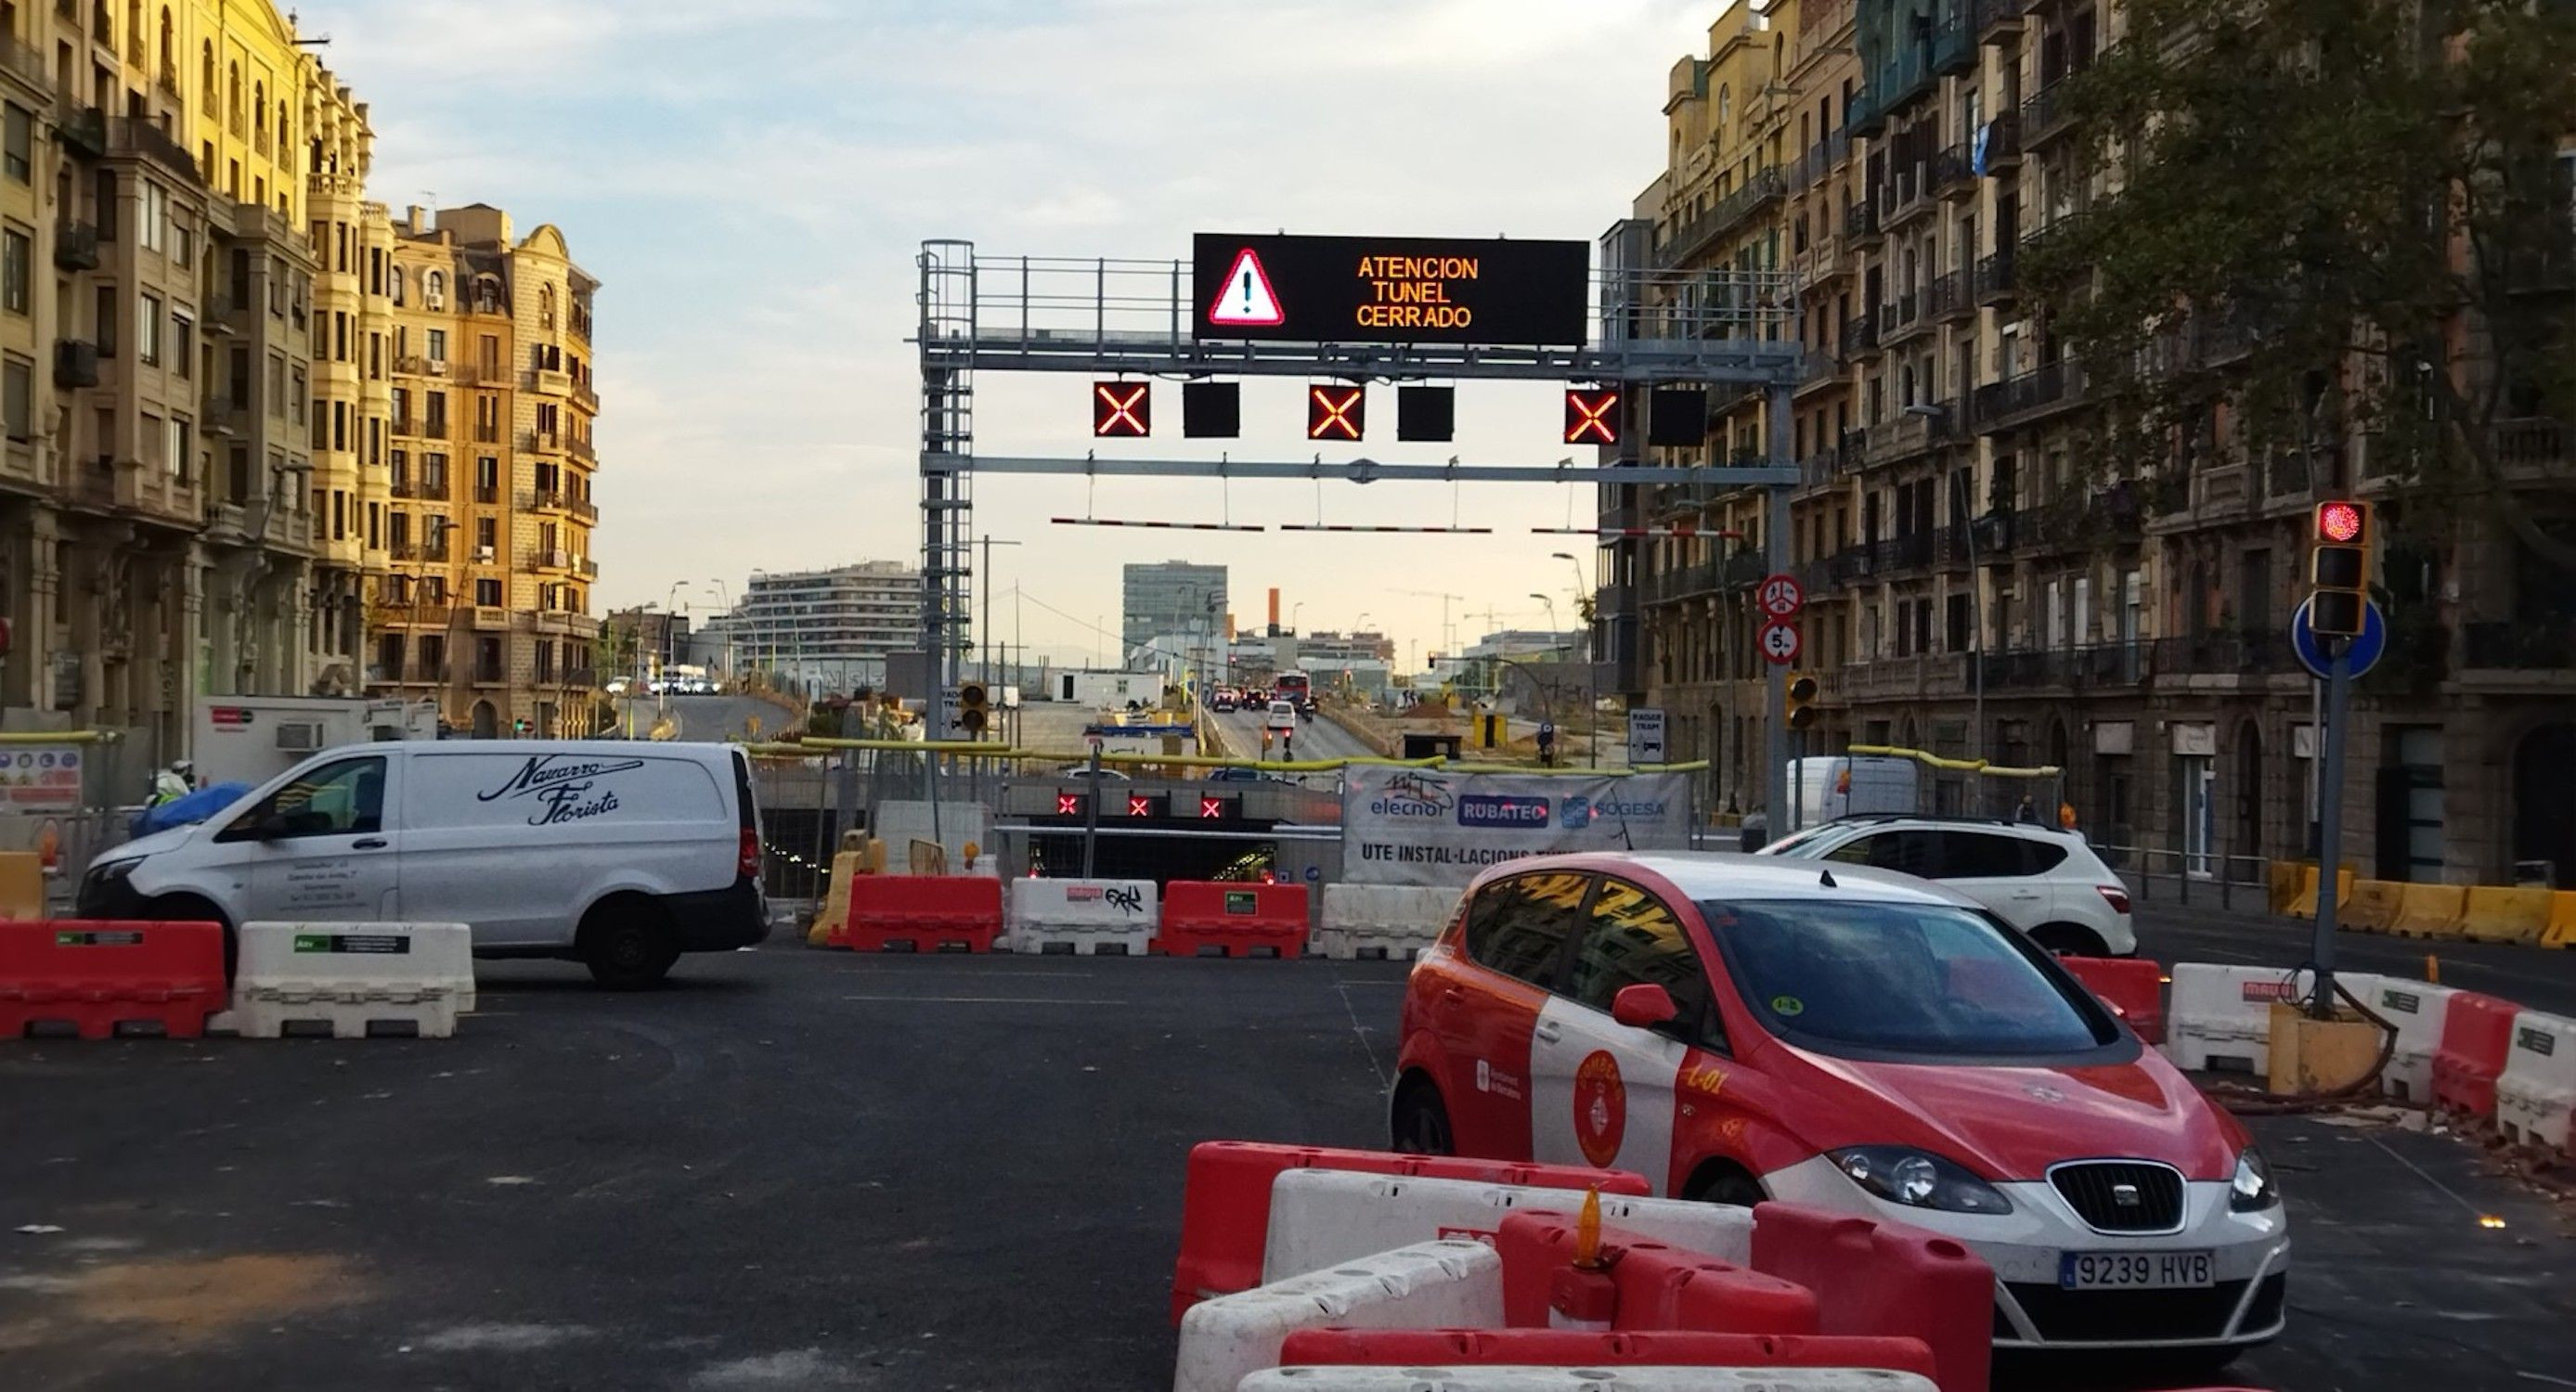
1900, 982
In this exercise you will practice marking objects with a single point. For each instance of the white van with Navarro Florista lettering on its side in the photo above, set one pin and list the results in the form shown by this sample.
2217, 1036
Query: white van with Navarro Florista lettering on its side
617, 856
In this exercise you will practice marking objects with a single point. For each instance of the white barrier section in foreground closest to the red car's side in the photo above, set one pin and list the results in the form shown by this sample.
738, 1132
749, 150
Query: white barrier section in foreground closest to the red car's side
1323, 1218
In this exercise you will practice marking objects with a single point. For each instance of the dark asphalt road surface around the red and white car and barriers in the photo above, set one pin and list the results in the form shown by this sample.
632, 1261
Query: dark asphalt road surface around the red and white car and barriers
800, 1169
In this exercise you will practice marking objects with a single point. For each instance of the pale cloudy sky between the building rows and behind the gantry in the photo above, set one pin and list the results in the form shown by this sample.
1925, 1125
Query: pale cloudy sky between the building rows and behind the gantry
753, 181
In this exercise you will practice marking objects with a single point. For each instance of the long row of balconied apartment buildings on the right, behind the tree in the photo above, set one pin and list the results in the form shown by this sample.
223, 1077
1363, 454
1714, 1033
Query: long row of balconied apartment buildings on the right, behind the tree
1977, 583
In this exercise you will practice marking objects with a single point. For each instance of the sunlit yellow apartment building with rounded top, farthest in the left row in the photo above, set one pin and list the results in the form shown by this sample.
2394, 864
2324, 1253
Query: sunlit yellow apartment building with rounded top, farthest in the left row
486, 526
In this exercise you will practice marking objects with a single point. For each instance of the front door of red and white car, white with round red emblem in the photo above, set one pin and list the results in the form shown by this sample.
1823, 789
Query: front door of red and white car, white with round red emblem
1604, 1092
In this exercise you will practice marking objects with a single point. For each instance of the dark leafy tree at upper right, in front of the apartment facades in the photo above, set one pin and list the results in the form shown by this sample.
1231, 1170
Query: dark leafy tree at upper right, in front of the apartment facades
2325, 223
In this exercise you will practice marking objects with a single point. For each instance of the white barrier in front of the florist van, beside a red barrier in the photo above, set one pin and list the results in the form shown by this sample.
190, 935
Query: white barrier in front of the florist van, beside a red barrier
352, 976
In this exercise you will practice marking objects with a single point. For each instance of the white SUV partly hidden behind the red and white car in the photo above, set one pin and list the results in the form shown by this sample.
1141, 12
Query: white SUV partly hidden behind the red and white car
2047, 884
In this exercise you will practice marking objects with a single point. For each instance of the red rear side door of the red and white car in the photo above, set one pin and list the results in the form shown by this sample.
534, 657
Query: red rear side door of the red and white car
1488, 1015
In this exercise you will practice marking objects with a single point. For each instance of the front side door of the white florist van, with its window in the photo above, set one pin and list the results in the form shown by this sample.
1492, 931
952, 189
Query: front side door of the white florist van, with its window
321, 848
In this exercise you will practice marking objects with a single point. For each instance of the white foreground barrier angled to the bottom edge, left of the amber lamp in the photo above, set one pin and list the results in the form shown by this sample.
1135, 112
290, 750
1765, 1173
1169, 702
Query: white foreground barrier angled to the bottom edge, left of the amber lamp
1428, 1285
